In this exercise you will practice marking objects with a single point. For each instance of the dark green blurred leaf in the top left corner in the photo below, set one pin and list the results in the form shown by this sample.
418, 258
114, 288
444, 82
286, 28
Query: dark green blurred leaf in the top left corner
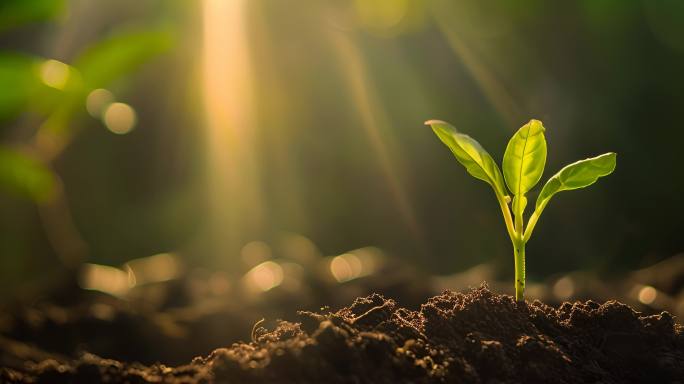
14, 13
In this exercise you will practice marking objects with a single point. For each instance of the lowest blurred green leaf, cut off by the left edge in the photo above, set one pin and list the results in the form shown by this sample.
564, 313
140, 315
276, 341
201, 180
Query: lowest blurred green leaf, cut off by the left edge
25, 176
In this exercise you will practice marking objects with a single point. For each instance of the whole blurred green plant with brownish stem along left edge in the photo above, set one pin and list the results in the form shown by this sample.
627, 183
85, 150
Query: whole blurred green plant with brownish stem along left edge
53, 106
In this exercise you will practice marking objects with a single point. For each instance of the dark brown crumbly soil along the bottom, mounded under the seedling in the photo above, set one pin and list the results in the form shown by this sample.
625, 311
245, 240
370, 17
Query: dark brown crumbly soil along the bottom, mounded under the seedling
473, 337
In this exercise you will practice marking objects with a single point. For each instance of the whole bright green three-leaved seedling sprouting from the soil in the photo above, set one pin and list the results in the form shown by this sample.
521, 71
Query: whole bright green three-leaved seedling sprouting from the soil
523, 165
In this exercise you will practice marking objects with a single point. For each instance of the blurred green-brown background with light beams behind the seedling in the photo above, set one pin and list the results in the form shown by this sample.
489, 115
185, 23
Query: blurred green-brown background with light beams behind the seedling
256, 146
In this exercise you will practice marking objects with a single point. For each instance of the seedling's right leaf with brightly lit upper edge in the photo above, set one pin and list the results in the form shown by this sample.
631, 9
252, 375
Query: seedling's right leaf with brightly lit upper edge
577, 175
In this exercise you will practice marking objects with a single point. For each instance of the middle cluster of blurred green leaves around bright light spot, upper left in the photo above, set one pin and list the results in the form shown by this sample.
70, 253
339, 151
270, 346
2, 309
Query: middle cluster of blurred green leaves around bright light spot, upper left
99, 64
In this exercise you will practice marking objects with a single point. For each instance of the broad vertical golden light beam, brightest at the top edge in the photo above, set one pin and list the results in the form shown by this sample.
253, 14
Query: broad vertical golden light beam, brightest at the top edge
235, 195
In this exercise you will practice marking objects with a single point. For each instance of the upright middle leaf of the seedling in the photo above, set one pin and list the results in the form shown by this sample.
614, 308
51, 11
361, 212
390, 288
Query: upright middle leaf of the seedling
525, 158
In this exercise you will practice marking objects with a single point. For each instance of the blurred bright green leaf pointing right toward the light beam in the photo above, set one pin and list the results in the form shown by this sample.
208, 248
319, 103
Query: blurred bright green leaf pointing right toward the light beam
120, 54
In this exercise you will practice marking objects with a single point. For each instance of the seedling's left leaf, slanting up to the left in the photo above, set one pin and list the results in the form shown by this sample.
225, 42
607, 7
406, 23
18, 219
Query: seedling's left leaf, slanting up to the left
471, 154
